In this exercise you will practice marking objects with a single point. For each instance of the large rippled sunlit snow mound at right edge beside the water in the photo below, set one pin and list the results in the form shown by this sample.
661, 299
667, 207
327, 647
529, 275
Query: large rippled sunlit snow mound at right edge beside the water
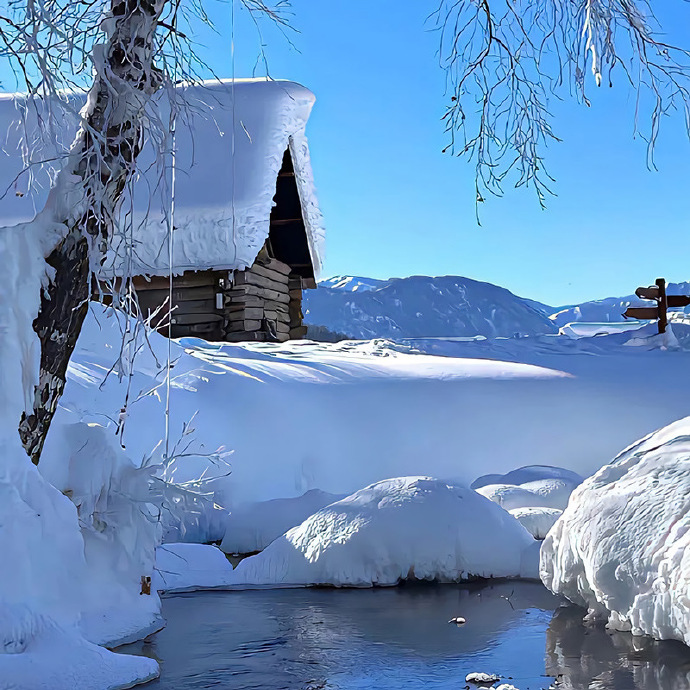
622, 547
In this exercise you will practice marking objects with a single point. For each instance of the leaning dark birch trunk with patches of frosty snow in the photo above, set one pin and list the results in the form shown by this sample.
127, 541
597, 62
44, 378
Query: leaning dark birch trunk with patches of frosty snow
107, 149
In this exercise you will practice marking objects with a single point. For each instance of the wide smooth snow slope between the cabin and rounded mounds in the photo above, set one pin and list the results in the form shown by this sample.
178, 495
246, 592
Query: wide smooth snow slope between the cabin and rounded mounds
337, 417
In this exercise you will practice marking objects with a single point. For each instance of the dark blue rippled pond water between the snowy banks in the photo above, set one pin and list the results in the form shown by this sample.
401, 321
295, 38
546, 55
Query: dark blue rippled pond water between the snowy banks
399, 638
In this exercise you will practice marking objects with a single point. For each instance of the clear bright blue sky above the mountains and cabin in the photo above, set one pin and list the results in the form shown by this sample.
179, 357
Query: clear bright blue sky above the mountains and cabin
395, 205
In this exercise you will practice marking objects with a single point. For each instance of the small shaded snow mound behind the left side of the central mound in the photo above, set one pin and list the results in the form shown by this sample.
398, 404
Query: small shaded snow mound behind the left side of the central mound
253, 527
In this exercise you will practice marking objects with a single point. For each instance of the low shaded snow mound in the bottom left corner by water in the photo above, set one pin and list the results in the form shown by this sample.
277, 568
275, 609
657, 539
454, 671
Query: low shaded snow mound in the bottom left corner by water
38, 654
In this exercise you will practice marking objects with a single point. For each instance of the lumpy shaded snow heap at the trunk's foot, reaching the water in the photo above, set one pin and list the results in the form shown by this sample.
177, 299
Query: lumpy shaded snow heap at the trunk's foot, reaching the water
119, 526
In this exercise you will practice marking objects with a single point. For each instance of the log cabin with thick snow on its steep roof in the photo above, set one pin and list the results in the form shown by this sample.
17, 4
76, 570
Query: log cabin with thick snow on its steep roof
247, 231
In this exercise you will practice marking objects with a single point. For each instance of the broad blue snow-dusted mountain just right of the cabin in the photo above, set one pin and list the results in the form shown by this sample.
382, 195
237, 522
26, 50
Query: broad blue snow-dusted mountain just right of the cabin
422, 306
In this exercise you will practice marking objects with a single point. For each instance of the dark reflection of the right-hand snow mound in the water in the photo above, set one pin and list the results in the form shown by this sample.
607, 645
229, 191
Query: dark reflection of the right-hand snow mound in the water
591, 658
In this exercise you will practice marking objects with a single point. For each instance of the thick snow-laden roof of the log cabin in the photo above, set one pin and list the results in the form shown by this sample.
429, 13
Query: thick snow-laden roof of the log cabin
230, 141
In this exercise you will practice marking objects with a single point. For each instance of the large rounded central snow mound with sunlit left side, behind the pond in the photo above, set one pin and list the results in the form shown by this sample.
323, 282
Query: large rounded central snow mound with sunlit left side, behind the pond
410, 528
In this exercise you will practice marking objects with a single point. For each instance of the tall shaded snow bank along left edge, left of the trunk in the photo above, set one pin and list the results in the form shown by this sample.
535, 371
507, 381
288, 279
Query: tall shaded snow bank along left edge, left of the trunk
47, 584
